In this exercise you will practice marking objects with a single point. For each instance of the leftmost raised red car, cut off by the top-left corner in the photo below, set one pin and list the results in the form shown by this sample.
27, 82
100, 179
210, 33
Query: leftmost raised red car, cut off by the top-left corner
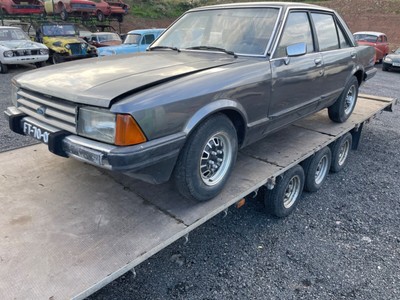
17, 7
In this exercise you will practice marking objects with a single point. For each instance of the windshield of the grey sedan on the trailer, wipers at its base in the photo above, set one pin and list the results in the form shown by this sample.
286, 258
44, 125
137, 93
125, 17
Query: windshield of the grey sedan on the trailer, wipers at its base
210, 30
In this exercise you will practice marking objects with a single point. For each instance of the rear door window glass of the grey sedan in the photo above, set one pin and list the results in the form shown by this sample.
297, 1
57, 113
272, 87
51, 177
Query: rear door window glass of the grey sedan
326, 31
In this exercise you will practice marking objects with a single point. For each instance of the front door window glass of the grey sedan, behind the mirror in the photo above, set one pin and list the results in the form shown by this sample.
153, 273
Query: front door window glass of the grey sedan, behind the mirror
297, 30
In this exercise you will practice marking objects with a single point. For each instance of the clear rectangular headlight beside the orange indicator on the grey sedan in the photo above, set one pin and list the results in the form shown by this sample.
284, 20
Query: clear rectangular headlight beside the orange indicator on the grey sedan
97, 124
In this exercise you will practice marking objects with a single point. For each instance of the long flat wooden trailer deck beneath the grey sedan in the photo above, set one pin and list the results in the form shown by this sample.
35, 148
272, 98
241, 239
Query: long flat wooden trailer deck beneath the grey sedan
67, 228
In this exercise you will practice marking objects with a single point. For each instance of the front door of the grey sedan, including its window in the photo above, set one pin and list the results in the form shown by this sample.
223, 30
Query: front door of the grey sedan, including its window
296, 81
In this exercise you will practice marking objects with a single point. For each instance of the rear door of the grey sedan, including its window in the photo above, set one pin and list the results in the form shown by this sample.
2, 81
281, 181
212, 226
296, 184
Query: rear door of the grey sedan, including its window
337, 53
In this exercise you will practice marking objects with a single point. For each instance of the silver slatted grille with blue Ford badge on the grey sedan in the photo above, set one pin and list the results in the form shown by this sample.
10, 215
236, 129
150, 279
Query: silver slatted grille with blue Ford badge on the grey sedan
53, 111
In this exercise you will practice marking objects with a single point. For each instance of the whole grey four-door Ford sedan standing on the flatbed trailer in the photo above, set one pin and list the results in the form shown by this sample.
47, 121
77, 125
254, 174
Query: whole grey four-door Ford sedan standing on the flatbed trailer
219, 78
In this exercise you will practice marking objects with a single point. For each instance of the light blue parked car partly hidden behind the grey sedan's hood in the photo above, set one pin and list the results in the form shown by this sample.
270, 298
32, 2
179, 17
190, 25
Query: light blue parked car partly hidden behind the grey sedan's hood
135, 41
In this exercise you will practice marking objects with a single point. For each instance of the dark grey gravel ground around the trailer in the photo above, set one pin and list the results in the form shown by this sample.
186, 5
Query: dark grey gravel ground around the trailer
341, 242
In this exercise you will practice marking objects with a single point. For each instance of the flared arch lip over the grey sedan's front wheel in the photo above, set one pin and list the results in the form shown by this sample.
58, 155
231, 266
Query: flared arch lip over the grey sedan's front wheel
233, 110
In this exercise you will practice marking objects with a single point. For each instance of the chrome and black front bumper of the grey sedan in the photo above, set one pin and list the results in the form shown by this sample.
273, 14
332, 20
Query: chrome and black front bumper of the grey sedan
152, 161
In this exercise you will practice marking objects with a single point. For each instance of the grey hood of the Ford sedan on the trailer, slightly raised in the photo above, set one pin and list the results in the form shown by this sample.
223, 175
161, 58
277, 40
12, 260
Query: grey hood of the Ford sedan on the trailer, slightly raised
100, 81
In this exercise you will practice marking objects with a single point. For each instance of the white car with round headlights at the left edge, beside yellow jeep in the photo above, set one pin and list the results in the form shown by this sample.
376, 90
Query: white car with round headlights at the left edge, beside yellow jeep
16, 48
